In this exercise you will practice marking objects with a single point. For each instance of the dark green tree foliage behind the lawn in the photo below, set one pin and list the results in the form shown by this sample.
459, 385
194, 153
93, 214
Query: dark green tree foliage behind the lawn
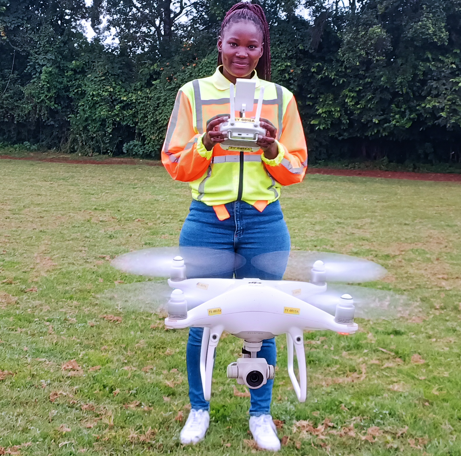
378, 79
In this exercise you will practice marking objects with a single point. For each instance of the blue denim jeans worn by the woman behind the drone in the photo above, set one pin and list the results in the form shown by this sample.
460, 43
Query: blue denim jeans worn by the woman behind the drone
249, 233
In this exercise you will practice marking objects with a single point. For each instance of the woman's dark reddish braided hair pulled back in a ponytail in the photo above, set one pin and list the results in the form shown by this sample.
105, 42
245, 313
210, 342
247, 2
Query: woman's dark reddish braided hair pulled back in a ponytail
253, 13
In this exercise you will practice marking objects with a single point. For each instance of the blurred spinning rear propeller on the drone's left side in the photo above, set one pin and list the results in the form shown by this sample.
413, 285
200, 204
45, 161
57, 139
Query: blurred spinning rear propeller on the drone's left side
200, 262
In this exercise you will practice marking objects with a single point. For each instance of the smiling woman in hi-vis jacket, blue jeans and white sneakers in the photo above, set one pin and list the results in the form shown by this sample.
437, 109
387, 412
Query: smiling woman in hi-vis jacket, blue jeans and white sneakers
235, 193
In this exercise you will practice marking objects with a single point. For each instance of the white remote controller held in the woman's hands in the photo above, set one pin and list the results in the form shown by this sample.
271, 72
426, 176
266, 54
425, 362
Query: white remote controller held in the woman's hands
242, 132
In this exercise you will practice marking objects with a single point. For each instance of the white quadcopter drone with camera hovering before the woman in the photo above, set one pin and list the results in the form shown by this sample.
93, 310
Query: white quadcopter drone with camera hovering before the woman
252, 309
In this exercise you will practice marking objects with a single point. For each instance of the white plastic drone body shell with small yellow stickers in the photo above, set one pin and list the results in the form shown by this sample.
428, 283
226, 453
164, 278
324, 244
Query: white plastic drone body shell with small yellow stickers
250, 308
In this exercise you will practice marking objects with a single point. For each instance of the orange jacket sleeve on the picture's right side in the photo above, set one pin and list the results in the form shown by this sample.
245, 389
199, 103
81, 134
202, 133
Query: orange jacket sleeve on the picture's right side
290, 165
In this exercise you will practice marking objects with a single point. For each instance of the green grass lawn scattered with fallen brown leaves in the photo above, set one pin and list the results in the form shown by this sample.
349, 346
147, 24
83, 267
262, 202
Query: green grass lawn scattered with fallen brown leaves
79, 375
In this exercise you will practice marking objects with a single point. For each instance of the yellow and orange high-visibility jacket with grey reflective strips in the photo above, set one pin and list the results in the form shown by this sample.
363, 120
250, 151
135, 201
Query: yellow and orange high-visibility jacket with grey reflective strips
220, 176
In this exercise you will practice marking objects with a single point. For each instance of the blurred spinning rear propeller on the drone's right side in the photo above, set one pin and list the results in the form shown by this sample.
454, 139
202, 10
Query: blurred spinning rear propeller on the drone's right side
338, 268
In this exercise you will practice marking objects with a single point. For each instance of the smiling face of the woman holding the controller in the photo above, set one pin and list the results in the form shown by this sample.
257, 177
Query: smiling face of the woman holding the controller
241, 47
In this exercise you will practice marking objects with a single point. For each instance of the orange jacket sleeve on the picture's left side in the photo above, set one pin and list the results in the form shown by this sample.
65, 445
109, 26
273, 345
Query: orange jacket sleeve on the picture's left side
183, 154
